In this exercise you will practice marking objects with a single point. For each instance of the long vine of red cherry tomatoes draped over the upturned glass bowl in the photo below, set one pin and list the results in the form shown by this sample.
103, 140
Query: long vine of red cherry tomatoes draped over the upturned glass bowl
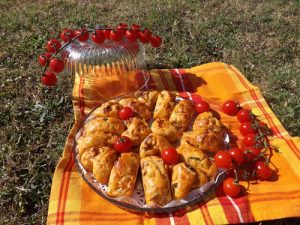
98, 36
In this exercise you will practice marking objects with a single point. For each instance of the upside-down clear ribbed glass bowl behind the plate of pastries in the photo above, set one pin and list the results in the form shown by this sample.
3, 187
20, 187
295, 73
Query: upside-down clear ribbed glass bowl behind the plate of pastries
109, 70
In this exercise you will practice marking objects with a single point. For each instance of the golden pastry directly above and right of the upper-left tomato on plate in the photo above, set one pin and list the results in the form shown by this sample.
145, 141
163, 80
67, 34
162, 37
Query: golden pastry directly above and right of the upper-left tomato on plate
139, 109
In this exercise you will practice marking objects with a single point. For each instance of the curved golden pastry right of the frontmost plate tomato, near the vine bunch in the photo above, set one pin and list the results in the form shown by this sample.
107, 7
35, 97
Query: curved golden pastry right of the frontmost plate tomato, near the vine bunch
199, 161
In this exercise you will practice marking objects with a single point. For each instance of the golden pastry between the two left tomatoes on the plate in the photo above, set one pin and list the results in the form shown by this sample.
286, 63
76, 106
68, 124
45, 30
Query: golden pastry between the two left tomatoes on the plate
137, 130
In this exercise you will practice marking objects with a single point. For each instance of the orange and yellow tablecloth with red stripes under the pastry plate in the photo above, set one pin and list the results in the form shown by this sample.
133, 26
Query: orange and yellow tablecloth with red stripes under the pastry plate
73, 202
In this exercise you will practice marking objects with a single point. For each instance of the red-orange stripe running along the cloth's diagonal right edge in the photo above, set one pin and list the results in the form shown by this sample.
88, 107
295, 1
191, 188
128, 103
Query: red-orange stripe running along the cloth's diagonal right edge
269, 119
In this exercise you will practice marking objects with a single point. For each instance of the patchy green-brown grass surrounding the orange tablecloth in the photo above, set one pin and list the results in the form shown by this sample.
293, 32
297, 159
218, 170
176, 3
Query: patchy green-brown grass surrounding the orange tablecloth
261, 38
